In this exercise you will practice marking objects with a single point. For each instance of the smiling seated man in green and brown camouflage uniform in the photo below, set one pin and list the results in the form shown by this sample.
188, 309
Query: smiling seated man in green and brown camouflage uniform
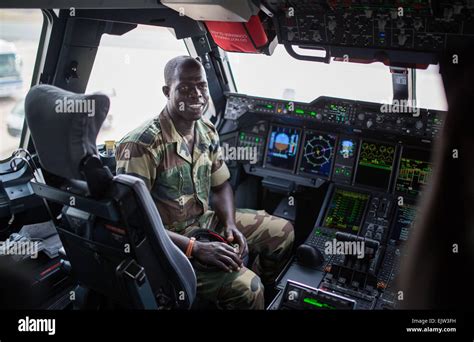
177, 155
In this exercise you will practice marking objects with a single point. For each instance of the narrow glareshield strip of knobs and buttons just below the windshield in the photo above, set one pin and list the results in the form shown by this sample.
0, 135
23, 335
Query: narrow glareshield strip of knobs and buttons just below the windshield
341, 115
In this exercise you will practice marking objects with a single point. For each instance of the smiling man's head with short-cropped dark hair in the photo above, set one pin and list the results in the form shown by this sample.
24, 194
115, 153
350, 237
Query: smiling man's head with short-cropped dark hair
188, 93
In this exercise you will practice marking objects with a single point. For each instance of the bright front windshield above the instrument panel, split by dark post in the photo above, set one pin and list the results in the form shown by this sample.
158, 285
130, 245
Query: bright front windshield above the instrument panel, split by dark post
284, 77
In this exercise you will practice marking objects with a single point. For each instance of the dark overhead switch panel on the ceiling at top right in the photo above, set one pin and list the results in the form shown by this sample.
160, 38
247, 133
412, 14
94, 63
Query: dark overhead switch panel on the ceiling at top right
376, 30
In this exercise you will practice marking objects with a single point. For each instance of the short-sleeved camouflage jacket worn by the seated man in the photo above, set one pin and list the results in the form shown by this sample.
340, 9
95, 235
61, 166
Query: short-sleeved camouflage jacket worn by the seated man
179, 181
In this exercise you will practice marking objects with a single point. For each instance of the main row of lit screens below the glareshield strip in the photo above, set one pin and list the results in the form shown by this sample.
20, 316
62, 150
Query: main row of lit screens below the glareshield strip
309, 158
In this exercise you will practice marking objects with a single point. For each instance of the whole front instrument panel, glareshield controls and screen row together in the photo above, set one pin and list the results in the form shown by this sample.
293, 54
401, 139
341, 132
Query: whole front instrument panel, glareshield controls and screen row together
313, 143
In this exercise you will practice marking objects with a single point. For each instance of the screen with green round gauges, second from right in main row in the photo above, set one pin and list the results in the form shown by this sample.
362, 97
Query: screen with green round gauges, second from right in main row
375, 165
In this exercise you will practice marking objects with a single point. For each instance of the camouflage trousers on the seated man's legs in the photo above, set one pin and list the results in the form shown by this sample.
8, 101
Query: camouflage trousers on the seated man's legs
270, 240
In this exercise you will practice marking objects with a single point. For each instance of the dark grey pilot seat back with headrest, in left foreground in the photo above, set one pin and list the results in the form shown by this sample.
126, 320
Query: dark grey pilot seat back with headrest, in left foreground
110, 227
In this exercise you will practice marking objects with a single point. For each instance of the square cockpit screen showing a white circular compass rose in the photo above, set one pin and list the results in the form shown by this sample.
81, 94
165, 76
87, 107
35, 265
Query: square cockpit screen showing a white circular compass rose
317, 153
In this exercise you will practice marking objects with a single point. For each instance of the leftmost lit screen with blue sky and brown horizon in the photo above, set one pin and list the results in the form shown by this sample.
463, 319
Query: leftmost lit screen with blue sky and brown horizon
282, 148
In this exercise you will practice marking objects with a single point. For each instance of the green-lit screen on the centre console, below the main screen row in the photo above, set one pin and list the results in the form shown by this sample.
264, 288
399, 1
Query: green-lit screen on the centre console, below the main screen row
346, 210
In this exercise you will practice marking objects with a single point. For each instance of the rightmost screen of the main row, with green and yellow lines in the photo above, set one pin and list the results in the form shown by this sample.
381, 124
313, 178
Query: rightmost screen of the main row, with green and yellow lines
414, 171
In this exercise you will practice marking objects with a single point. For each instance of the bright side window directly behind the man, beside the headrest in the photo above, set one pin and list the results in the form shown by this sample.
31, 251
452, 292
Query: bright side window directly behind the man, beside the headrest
129, 69
